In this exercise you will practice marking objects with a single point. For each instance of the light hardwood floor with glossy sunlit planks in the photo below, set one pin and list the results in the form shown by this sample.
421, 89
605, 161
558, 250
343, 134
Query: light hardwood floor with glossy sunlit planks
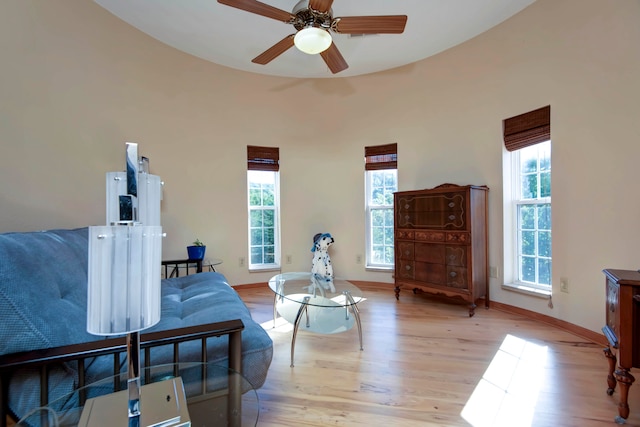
426, 363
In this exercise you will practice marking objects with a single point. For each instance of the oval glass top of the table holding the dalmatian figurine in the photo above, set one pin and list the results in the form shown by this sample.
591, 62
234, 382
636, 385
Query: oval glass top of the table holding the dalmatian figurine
315, 290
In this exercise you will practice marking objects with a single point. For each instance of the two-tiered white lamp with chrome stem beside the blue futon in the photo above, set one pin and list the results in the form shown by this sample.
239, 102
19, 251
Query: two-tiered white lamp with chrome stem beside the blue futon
124, 265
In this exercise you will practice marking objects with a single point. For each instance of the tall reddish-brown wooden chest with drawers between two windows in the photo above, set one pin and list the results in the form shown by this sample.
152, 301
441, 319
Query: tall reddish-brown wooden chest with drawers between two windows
441, 242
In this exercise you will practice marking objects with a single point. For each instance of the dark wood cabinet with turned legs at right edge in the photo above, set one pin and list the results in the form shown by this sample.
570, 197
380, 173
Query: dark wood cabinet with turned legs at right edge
622, 332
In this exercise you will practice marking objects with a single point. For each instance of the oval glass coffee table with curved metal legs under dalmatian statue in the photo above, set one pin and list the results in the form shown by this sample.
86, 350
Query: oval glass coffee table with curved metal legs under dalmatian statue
329, 307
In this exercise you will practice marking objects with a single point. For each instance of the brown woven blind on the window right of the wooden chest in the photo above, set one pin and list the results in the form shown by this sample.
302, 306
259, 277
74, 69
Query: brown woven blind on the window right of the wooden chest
527, 129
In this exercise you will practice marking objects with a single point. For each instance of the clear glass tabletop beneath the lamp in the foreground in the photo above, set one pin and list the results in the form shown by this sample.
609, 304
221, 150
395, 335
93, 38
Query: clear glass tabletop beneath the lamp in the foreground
208, 389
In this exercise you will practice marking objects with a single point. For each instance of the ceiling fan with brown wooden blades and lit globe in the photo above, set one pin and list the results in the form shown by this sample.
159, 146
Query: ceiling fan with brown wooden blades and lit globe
314, 22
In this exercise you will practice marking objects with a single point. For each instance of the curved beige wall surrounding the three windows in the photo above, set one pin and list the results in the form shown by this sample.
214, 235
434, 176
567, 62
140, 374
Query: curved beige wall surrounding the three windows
76, 83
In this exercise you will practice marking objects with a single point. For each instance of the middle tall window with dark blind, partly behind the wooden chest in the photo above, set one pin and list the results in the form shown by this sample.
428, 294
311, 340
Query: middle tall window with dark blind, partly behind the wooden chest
381, 181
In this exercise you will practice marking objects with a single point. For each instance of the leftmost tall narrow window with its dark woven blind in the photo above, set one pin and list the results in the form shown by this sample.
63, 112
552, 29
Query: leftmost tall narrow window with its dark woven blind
263, 200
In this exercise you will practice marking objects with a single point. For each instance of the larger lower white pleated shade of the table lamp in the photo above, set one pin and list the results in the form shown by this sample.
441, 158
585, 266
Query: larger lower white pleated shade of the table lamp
124, 278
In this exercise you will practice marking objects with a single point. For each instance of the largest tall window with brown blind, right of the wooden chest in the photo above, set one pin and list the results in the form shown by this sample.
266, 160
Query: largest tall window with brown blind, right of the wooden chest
527, 138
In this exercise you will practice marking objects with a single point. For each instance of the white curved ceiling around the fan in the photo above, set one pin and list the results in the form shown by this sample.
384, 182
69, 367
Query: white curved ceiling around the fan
232, 37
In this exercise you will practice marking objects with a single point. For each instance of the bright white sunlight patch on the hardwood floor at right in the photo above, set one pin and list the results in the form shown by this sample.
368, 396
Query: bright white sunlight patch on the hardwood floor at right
507, 394
